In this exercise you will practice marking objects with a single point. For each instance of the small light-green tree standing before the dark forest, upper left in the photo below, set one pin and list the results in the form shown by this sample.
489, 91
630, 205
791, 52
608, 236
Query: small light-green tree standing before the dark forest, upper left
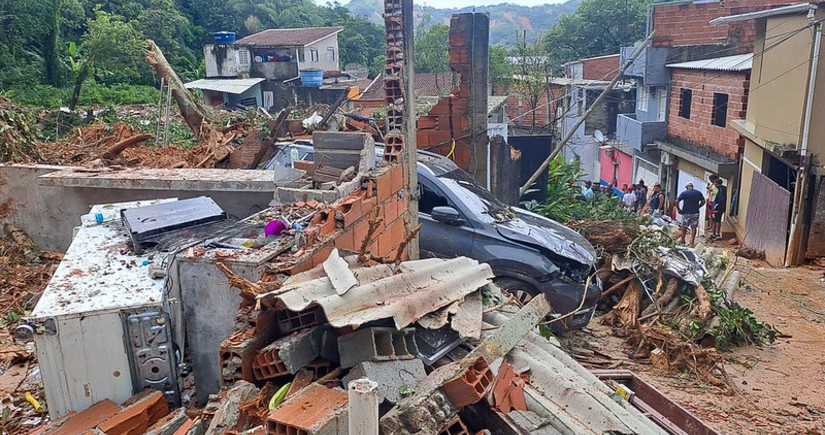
110, 46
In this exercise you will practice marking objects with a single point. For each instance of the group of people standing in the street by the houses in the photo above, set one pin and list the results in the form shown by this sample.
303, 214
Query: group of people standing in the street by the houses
636, 199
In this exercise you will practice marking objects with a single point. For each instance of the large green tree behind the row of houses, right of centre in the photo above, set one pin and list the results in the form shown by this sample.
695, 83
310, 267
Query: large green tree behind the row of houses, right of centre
597, 27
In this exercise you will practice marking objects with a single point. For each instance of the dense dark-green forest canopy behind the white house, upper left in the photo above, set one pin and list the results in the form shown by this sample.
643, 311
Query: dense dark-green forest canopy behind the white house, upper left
42, 41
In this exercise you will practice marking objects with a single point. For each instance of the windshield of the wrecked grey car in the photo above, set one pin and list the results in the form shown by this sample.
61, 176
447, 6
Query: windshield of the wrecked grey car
484, 206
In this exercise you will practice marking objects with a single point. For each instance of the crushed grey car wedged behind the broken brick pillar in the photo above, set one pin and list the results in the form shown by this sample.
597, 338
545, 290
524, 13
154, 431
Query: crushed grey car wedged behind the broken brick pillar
529, 254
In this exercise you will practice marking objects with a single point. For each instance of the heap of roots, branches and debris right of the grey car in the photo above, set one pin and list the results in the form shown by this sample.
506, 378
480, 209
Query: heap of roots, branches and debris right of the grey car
676, 305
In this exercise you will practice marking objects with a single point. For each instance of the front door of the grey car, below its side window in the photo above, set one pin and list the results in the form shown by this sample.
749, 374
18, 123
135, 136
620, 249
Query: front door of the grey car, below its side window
438, 239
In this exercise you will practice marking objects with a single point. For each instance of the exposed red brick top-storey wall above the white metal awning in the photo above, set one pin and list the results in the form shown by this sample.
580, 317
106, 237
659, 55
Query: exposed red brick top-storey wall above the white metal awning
687, 24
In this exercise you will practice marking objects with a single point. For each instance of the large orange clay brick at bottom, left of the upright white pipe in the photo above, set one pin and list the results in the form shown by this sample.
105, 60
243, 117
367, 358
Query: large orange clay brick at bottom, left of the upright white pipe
309, 412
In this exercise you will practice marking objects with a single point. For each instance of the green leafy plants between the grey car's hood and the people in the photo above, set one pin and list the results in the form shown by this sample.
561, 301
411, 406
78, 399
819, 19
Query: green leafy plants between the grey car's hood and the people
563, 186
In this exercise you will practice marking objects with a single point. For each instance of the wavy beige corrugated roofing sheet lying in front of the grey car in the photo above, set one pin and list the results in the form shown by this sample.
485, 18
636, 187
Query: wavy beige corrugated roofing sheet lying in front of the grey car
420, 287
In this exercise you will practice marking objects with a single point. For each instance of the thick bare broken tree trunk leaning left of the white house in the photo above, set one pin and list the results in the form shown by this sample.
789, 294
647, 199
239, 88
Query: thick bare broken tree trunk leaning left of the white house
193, 111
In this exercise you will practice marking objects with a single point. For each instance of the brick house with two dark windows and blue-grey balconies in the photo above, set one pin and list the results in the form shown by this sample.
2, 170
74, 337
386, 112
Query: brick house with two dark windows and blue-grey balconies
683, 35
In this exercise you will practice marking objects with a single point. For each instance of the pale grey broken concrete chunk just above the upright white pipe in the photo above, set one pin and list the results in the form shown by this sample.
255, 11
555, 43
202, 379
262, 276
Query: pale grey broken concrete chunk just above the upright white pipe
393, 377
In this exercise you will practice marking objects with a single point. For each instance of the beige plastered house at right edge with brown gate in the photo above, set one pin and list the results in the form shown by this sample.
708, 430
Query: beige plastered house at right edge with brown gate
780, 205
